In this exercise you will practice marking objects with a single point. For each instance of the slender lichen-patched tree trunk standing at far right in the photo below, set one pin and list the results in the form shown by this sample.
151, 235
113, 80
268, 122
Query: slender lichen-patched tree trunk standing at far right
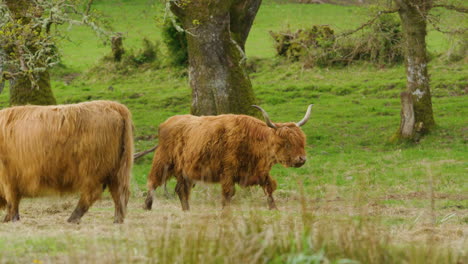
413, 15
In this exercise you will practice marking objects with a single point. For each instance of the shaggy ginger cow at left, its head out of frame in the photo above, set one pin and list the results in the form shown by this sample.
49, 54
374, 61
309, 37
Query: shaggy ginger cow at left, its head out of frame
66, 148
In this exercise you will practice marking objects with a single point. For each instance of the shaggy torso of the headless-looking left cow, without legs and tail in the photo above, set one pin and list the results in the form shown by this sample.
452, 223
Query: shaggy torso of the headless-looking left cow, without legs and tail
60, 147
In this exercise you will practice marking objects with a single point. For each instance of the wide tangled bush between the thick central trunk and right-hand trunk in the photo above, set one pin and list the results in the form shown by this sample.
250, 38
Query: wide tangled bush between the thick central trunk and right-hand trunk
319, 46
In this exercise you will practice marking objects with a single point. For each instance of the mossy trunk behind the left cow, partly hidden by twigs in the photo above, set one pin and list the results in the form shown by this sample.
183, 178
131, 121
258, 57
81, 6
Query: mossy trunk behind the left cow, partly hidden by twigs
22, 89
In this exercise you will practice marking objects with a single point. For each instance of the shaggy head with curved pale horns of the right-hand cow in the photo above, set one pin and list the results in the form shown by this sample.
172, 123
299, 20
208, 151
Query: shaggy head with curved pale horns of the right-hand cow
288, 143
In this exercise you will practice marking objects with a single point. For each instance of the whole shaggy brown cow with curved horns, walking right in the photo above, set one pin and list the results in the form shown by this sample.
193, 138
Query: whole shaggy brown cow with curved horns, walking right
227, 149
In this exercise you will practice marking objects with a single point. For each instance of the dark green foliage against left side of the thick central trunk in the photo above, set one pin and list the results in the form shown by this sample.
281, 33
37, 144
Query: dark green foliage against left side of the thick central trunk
176, 43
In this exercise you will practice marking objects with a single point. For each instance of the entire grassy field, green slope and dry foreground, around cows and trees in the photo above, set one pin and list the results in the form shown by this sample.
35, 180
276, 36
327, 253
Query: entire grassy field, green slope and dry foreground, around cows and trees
358, 199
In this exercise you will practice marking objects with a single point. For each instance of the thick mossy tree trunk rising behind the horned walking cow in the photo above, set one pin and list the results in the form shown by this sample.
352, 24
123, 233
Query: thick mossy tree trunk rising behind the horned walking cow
216, 34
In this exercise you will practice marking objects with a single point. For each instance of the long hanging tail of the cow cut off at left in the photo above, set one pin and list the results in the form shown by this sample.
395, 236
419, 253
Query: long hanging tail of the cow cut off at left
126, 158
